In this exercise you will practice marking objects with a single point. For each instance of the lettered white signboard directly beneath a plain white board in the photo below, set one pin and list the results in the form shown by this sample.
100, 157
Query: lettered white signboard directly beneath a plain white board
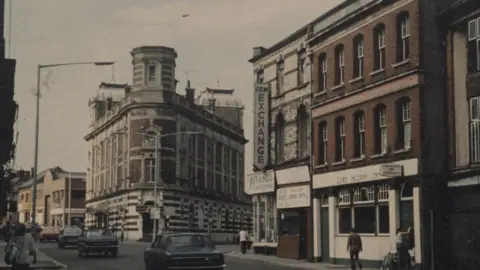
293, 197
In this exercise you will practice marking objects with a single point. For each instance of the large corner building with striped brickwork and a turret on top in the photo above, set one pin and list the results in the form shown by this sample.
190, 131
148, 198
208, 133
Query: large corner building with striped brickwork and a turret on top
200, 176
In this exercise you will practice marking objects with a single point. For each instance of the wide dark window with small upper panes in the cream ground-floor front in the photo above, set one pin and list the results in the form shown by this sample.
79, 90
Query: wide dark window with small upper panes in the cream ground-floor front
365, 209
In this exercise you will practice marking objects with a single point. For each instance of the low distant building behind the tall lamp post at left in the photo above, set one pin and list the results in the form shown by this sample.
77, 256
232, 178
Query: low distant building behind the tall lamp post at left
60, 198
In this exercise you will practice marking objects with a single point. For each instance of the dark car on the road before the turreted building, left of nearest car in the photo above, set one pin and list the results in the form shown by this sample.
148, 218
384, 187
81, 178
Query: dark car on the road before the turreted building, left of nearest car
97, 241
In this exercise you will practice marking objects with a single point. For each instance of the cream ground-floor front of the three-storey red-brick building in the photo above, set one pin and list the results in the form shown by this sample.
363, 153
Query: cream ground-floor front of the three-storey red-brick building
375, 200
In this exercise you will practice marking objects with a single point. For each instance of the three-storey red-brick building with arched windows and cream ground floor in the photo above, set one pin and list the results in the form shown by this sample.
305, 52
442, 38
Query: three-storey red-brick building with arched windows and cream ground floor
377, 160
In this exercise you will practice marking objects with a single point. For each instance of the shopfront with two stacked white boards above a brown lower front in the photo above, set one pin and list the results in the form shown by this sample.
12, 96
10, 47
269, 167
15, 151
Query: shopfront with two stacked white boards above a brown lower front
293, 201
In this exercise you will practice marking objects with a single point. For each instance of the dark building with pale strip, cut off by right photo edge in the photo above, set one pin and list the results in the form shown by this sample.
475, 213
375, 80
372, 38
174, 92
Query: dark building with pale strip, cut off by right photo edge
460, 24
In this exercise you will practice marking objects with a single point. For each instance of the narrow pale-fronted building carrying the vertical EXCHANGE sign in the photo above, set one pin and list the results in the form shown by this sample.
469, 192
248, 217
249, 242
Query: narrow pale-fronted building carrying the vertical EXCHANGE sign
280, 187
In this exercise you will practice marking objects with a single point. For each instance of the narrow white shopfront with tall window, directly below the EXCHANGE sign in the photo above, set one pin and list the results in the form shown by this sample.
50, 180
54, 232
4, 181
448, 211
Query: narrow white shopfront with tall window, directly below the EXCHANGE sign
261, 186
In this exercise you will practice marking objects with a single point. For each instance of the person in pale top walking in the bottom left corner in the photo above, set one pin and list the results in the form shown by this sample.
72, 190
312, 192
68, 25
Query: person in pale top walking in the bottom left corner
20, 248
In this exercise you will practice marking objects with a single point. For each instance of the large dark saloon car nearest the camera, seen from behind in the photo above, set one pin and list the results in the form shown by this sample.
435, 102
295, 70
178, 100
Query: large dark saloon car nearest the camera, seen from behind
183, 251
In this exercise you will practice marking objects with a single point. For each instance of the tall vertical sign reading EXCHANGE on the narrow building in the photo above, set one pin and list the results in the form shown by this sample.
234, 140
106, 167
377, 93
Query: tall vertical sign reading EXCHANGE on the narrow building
261, 125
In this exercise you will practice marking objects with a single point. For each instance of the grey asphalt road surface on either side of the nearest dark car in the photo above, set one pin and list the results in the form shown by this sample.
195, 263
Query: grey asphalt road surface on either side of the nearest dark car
130, 257
